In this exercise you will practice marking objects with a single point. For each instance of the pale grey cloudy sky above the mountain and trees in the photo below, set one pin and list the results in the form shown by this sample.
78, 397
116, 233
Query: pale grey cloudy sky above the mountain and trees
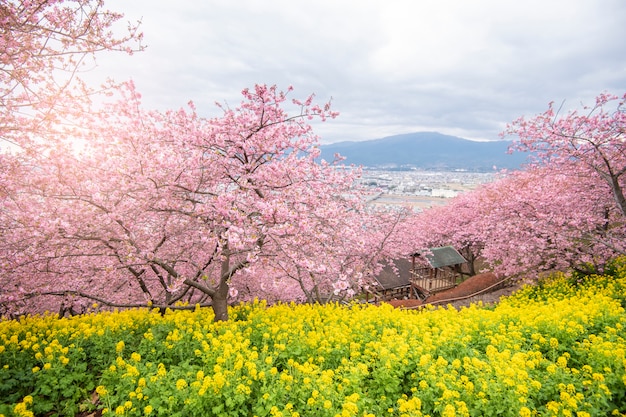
458, 67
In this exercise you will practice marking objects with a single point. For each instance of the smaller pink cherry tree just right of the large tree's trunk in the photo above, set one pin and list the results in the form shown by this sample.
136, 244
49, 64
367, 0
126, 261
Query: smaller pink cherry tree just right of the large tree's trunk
313, 257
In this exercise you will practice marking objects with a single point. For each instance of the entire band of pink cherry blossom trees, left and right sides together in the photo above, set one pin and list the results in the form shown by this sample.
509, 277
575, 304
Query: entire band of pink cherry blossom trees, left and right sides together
116, 204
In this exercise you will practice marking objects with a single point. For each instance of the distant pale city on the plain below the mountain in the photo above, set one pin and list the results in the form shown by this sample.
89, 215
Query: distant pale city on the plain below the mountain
419, 189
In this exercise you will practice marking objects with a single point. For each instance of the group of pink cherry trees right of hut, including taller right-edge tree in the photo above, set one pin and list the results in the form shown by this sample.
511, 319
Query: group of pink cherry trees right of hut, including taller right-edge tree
565, 210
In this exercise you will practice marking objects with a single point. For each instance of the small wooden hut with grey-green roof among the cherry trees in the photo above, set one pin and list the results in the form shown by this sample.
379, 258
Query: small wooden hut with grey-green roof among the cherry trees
436, 270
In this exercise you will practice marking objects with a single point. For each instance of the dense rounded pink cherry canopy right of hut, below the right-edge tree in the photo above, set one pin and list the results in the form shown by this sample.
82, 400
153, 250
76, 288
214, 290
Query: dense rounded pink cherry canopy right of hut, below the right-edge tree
530, 221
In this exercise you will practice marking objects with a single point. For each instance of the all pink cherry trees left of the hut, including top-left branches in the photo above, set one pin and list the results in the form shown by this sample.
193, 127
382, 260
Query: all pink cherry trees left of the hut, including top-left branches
128, 207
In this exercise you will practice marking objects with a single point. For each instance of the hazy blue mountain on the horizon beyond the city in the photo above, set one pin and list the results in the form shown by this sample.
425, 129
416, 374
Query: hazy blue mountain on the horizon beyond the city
426, 150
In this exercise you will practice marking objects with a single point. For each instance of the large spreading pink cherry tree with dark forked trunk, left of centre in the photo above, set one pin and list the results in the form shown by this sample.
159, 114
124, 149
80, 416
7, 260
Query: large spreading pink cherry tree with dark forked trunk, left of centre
131, 207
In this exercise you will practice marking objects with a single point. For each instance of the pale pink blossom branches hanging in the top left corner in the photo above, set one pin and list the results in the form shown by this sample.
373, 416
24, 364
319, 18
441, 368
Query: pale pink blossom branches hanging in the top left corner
44, 45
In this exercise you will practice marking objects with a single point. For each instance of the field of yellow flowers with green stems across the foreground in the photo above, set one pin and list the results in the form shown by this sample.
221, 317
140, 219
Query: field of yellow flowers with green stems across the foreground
556, 349
